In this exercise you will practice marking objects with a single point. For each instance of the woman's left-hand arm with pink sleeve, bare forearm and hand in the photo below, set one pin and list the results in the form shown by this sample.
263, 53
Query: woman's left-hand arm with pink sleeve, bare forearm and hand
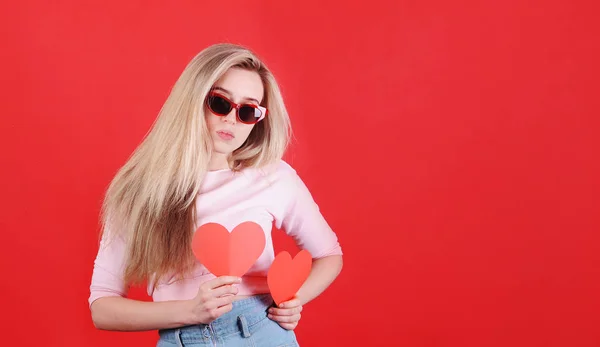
111, 310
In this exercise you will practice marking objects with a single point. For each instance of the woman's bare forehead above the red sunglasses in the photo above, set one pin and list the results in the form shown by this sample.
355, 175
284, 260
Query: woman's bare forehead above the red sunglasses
241, 84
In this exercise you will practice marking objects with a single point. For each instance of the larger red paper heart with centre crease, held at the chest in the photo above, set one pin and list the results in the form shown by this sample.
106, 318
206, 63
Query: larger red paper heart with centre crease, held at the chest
228, 254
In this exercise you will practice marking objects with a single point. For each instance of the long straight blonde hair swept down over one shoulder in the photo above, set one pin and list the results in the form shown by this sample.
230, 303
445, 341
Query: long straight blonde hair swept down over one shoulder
150, 202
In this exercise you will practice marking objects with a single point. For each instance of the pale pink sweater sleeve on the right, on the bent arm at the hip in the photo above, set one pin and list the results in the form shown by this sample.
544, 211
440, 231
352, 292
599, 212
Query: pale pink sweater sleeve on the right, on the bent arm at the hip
303, 221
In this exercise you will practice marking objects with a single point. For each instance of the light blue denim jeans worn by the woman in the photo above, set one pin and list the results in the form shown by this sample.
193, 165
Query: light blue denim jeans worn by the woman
245, 325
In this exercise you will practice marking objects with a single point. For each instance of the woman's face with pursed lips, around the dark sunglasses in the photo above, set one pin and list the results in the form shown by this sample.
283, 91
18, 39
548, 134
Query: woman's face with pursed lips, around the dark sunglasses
241, 87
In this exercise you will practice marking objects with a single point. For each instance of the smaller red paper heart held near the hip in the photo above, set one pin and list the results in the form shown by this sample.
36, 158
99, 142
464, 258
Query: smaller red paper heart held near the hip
286, 276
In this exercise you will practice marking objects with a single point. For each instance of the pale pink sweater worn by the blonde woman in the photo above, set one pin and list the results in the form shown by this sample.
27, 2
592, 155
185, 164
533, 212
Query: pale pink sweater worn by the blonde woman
229, 199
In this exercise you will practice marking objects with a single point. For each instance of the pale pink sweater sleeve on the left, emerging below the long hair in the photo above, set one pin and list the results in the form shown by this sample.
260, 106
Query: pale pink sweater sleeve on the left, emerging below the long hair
107, 279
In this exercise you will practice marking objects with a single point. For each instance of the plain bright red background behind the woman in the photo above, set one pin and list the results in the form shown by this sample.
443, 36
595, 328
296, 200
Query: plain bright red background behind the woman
452, 145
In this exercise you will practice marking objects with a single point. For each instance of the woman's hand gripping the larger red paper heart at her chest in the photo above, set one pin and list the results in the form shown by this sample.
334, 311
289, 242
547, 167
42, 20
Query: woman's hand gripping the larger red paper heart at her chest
214, 299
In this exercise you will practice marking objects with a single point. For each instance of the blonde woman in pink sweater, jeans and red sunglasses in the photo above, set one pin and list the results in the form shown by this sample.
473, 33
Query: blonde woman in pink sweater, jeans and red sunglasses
212, 156
